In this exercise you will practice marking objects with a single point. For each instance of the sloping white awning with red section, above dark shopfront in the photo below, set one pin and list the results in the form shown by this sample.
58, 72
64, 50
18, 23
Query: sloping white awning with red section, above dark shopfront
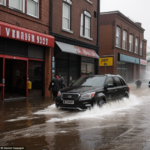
68, 48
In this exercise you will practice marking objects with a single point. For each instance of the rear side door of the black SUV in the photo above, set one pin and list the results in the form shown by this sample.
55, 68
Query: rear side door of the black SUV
119, 92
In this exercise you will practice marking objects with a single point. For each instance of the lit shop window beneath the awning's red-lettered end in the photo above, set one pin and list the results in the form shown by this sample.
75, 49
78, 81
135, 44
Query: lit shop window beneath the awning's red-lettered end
87, 69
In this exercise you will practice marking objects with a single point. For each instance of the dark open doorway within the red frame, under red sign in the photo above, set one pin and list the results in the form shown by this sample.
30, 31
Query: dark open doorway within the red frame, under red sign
15, 78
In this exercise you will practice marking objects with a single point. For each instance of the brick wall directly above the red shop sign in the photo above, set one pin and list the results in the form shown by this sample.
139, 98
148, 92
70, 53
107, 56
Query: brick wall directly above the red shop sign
23, 20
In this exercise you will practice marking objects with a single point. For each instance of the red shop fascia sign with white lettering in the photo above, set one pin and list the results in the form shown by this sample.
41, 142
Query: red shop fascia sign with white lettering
25, 35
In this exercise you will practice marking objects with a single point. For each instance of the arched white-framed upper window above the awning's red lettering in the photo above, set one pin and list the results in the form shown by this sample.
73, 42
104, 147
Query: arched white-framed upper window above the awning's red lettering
85, 27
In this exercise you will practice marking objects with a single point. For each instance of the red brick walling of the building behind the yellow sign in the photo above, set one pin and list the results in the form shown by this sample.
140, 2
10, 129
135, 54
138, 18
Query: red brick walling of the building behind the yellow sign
108, 24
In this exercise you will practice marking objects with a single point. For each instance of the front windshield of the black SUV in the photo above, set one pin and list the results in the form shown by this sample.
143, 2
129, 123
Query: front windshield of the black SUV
90, 81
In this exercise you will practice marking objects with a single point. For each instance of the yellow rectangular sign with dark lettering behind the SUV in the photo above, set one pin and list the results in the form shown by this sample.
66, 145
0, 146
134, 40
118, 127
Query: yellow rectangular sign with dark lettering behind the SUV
106, 61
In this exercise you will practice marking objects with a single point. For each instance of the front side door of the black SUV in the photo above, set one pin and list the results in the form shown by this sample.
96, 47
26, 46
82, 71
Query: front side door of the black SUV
110, 90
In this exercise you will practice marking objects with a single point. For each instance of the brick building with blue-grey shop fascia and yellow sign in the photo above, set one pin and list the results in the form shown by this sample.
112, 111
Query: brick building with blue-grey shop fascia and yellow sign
122, 46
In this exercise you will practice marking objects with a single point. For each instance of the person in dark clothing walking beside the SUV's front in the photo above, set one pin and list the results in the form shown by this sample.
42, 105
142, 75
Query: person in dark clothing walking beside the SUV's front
55, 86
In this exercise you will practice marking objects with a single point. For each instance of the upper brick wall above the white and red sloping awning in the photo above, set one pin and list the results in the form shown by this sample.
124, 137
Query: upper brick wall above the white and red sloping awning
78, 7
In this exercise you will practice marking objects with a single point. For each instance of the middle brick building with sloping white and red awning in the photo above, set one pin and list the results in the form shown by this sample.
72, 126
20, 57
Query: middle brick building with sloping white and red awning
76, 30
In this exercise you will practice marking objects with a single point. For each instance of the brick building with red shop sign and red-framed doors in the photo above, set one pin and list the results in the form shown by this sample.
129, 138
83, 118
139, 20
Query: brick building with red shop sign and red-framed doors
25, 48
